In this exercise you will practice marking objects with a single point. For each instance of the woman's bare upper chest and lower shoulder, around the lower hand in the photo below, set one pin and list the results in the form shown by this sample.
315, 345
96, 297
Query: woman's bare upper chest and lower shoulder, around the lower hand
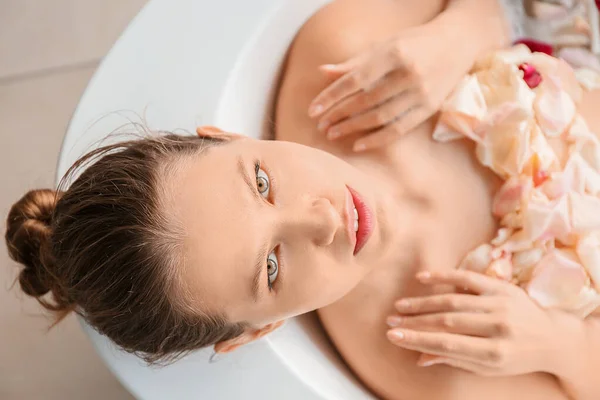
454, 195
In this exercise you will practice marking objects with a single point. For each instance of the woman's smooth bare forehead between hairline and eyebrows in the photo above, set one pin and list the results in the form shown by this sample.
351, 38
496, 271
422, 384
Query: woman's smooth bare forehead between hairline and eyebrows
213, 204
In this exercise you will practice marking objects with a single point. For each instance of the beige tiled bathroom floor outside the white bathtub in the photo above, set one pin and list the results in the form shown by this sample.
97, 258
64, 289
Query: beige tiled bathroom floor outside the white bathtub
49, 50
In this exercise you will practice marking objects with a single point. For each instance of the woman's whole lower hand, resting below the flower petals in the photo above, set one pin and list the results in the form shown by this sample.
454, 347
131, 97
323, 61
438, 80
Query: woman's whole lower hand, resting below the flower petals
497, 331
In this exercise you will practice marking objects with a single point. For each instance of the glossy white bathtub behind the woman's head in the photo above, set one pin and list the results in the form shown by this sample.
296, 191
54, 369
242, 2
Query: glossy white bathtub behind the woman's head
183, 63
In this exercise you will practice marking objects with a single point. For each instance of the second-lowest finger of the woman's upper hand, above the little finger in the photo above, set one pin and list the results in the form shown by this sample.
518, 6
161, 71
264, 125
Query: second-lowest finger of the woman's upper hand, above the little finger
374, 118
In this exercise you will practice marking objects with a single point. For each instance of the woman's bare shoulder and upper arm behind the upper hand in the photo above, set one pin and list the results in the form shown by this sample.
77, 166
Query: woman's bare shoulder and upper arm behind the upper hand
335, 33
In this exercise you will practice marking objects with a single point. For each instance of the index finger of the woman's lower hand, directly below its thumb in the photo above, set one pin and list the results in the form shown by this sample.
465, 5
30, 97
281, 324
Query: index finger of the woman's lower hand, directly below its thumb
443, 303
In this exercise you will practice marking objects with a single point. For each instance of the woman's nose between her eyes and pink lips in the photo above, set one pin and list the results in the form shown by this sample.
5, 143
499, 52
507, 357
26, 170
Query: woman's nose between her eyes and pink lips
315, 219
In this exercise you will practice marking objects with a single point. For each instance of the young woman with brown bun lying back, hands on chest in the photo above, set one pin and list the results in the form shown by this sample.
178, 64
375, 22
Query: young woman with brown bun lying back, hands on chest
174, 243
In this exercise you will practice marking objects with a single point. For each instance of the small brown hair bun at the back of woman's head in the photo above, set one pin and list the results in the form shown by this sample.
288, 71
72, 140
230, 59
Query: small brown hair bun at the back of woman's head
28, 235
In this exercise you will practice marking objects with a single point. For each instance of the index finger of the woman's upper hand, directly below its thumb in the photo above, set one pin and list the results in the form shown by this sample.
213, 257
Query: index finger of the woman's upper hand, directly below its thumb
361, 77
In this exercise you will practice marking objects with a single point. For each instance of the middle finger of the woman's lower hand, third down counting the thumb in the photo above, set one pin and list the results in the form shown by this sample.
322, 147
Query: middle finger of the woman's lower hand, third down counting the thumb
472, 324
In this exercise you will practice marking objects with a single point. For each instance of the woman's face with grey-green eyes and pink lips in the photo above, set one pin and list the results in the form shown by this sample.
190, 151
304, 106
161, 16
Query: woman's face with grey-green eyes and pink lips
269, 229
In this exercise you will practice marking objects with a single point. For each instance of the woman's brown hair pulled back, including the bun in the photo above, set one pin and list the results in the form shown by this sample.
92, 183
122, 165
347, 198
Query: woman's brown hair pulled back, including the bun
104, 249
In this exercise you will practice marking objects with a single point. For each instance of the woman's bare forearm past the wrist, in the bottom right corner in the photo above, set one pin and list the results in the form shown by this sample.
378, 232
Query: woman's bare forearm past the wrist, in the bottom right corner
576, 362
